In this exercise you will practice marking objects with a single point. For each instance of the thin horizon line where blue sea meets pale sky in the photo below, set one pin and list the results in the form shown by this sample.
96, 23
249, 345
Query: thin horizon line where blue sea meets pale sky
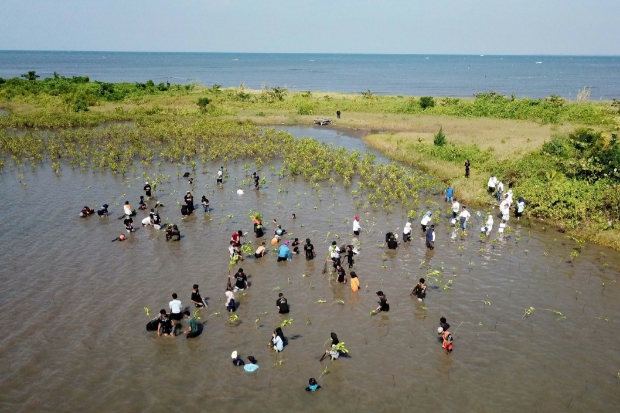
312, 53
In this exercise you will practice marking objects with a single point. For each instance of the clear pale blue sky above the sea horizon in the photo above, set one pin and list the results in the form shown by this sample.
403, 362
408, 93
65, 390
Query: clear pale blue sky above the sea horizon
575, 27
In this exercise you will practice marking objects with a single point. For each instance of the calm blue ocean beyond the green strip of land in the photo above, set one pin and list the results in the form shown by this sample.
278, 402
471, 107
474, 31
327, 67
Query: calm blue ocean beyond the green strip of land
438, 75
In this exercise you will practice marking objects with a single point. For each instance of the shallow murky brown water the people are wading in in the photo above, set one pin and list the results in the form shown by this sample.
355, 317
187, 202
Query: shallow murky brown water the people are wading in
73, 335
